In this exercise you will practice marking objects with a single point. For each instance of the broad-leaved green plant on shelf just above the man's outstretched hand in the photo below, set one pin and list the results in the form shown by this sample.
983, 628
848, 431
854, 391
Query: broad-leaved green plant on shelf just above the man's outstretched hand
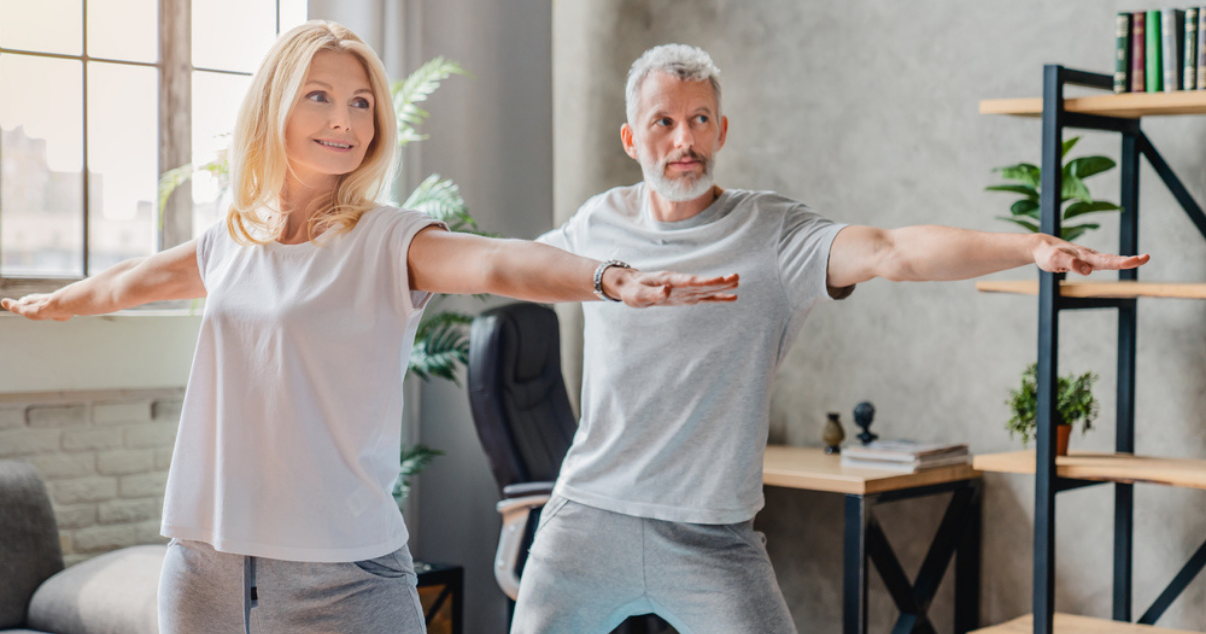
1026, 213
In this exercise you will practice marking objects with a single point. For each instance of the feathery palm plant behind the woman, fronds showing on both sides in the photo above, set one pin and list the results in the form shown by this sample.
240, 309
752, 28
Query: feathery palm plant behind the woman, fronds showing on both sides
442, 343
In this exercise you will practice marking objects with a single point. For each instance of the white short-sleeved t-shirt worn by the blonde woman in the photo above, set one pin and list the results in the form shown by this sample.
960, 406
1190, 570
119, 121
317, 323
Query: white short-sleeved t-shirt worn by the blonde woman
292, 420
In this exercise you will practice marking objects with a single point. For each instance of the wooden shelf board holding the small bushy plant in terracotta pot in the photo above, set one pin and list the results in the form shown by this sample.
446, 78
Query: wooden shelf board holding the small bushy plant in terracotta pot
1104, 467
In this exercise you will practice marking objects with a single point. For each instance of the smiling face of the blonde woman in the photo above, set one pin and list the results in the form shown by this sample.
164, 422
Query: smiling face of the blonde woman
332, 122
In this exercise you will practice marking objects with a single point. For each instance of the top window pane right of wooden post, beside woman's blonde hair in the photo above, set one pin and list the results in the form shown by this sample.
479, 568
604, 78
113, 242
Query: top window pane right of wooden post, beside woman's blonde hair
224, 44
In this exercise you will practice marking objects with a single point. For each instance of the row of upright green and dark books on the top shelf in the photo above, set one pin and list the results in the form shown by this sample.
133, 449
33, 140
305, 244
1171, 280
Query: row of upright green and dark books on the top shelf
1161, 51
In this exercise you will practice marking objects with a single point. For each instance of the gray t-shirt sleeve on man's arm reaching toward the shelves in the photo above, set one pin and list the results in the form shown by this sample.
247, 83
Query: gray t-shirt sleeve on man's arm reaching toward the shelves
804, 250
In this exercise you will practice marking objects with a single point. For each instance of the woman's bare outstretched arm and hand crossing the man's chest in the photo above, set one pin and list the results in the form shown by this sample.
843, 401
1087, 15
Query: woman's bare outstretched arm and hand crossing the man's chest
444, 262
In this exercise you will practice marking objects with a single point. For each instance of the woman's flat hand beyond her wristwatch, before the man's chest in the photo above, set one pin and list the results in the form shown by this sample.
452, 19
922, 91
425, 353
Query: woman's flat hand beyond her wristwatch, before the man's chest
663, 289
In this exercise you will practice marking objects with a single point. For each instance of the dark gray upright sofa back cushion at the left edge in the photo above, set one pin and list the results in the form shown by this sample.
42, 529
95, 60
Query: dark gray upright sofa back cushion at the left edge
30, 541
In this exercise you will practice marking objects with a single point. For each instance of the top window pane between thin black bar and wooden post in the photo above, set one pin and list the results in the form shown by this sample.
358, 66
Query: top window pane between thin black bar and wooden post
125, 30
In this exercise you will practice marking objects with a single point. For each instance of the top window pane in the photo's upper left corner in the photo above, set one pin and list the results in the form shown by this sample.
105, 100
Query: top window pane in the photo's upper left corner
43, 26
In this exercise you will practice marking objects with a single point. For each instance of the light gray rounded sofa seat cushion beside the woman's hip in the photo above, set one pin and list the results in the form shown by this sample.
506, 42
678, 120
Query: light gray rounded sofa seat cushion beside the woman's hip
112, 594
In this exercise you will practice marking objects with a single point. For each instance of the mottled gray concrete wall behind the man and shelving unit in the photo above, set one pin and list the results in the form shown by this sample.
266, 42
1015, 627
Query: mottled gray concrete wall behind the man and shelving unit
868, 111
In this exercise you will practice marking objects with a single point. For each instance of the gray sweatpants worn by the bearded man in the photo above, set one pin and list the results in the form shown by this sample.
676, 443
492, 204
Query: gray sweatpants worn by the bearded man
590, 570
